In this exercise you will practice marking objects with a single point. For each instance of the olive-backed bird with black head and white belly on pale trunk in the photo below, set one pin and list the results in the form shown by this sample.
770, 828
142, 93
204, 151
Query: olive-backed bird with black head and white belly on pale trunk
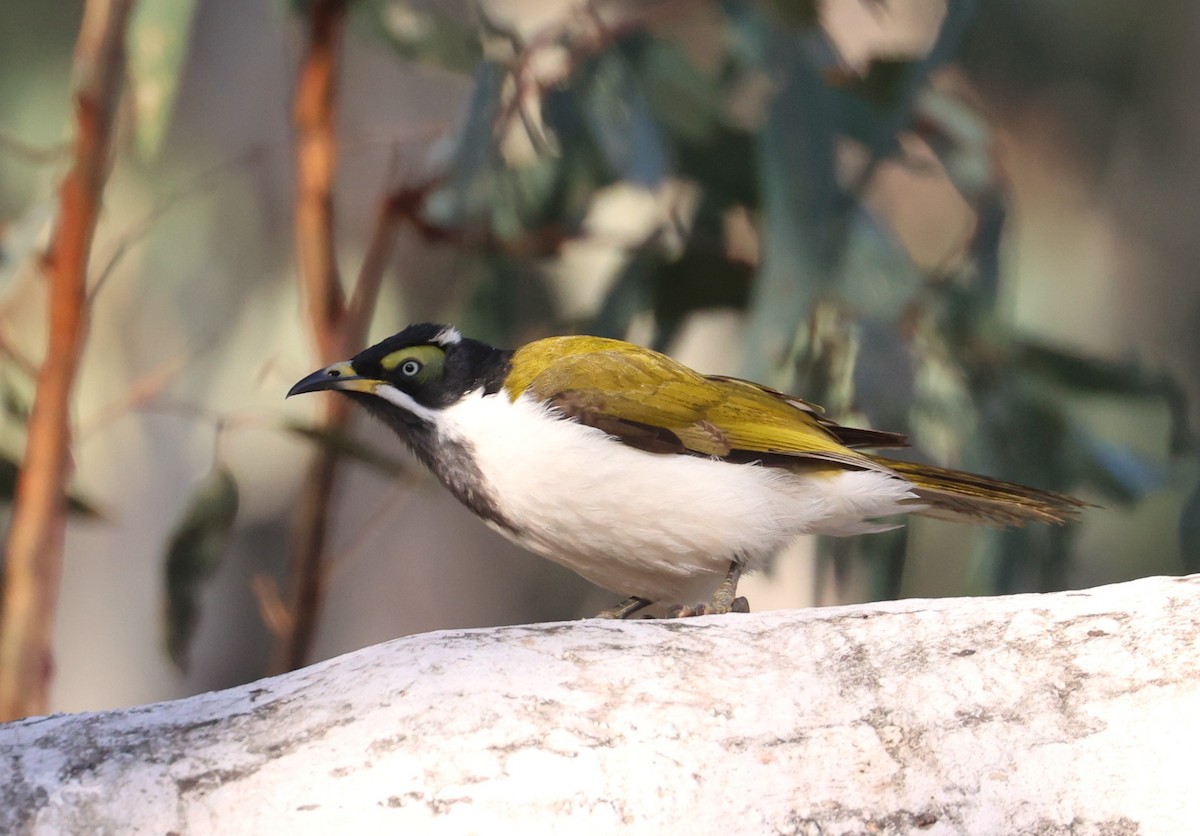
643, 476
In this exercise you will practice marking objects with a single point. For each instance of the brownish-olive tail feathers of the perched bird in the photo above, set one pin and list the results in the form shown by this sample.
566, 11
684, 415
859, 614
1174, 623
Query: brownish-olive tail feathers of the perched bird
965, 497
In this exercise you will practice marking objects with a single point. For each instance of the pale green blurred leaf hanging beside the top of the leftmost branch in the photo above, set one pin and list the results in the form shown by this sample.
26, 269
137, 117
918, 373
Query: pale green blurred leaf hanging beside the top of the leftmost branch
158, 45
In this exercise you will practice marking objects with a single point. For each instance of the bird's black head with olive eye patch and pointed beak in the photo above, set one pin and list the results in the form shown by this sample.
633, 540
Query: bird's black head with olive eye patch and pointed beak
410, 377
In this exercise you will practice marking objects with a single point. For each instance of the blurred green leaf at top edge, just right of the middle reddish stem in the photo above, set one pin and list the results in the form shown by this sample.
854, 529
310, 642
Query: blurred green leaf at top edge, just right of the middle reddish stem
425, 33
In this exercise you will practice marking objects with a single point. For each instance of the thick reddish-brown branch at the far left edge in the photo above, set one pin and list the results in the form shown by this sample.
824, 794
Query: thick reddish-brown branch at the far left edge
34, 548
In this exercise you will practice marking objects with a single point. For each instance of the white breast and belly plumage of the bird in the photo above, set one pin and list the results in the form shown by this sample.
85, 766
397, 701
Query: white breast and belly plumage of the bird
663, 527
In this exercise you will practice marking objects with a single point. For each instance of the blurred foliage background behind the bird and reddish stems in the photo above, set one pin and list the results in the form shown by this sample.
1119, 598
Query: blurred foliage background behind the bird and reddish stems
973, 222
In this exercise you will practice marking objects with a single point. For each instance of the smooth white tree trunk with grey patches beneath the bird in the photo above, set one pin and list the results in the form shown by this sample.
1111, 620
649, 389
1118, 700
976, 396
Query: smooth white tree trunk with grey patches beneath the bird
1070, 713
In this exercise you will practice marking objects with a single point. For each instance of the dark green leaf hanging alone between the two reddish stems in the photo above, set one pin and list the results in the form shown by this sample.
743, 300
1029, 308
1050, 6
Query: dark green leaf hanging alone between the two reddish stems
197, 545
